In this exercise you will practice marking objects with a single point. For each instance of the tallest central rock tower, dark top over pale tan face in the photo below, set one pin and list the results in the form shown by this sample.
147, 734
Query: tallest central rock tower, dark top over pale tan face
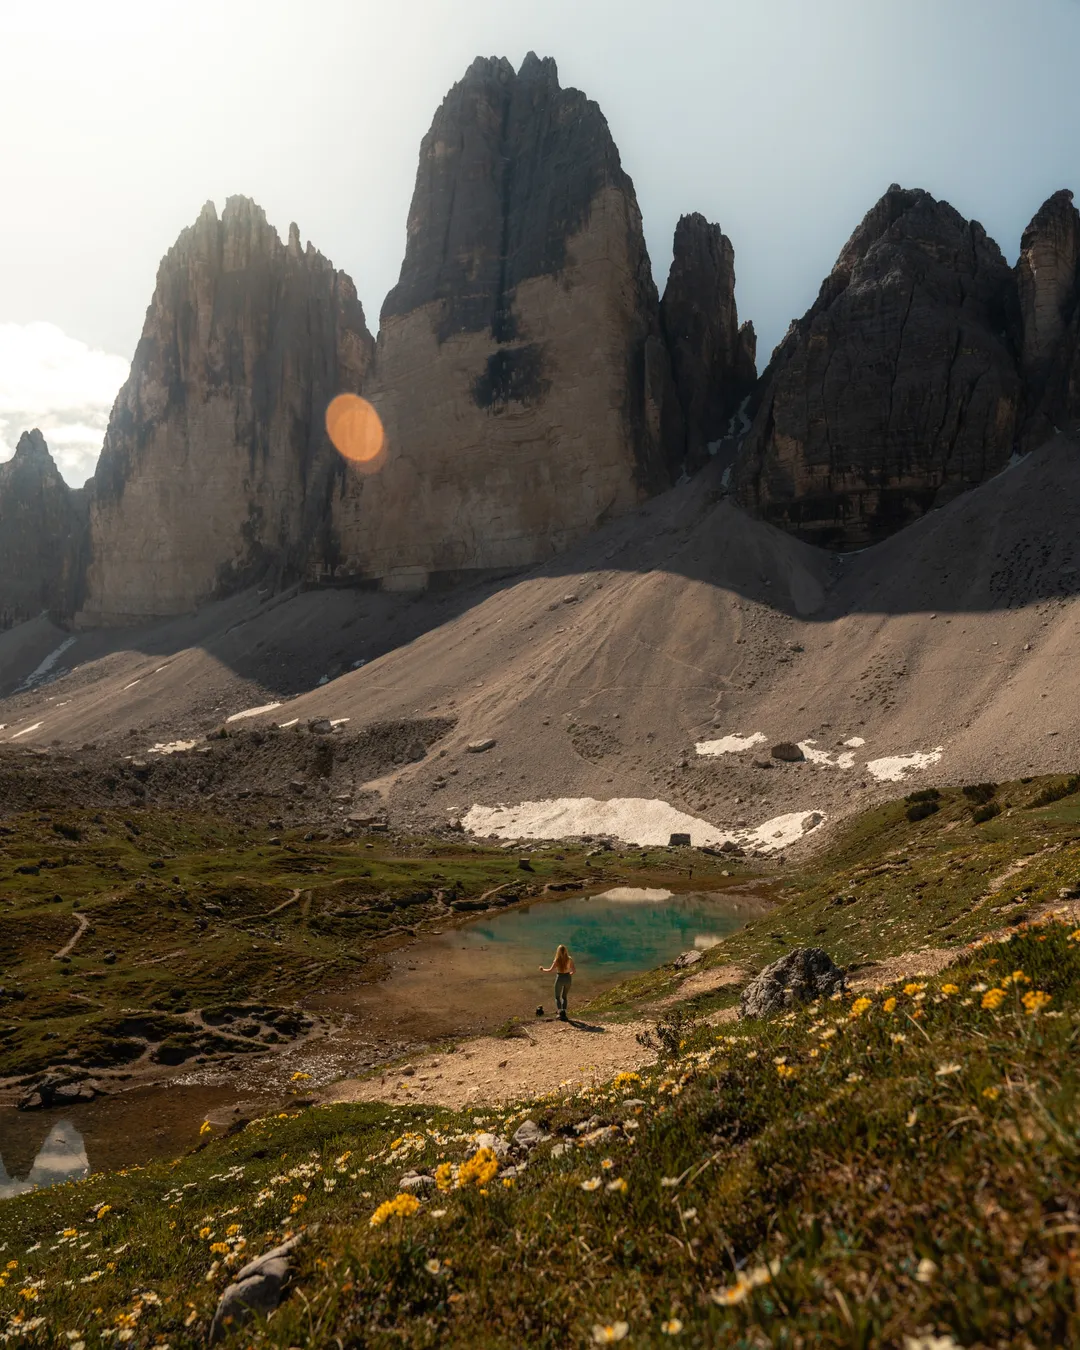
522, 375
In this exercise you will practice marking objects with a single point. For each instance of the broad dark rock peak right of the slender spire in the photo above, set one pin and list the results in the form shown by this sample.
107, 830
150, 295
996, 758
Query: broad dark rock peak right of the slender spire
898, 389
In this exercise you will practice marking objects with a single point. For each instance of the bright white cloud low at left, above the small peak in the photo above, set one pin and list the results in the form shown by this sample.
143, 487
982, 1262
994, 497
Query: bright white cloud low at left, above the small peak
61, 385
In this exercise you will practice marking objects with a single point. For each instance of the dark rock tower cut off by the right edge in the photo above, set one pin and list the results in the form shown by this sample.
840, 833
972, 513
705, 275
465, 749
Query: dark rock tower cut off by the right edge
1048, 283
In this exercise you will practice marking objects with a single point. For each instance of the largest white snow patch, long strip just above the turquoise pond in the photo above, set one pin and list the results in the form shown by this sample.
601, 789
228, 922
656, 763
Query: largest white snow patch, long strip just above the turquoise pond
635, 820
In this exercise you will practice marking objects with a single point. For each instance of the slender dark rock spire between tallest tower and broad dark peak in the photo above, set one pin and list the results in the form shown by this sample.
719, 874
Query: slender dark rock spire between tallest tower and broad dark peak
713, 361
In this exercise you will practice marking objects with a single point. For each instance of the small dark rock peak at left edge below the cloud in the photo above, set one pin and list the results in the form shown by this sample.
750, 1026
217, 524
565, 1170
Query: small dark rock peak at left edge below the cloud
43, 530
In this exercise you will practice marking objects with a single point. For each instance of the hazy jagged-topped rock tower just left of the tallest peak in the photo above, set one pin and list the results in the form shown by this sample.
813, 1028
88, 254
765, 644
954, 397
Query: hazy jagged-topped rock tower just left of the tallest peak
217, 469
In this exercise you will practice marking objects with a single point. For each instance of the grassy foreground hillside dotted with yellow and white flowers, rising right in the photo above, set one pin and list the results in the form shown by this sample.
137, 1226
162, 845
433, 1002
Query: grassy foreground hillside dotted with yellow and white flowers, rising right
898, 1168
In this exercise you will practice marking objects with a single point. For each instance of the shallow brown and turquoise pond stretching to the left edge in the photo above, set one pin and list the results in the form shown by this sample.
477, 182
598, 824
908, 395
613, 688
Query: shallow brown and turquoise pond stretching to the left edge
442, 985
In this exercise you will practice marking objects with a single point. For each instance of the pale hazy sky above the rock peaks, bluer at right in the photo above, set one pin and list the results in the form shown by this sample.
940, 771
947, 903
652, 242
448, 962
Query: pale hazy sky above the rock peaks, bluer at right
781, 119
